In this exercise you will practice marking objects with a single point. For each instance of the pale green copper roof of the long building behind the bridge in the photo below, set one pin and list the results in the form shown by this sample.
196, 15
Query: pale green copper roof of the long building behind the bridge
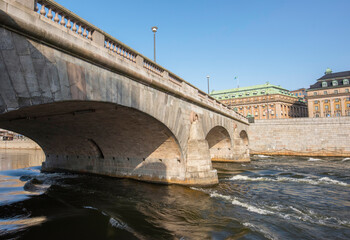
257, 90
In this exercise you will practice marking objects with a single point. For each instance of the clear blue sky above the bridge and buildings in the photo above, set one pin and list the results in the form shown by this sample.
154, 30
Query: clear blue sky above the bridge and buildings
288, 43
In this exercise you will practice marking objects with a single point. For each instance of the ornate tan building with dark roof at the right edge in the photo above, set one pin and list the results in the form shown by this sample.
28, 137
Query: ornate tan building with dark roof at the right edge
329, 96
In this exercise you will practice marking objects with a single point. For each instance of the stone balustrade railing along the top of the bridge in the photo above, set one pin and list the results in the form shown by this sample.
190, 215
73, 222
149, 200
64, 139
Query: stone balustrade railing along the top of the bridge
65, 18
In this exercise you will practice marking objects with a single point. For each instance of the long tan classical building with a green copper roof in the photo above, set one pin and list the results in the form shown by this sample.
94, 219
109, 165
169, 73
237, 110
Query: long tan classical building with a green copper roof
264, 101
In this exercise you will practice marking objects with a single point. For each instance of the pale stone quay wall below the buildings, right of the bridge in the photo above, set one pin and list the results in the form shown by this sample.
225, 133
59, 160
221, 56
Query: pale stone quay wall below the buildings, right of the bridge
301, 137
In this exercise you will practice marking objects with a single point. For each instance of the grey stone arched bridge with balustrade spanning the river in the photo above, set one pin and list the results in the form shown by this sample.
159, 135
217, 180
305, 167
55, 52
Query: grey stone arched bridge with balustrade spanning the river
95, 105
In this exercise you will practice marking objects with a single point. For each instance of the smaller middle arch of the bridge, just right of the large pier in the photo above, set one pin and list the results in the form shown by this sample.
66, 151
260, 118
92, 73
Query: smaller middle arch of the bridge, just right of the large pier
220, 143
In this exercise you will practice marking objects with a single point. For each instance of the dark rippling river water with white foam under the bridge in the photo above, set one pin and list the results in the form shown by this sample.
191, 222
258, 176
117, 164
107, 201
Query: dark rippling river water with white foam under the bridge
269, 198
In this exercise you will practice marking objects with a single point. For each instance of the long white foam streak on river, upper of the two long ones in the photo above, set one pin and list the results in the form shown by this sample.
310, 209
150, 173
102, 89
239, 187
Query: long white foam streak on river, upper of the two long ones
323, 180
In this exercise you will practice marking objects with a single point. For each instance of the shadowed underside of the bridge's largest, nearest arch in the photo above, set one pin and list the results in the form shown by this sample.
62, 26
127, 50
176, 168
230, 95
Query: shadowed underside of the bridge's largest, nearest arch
101, 138
